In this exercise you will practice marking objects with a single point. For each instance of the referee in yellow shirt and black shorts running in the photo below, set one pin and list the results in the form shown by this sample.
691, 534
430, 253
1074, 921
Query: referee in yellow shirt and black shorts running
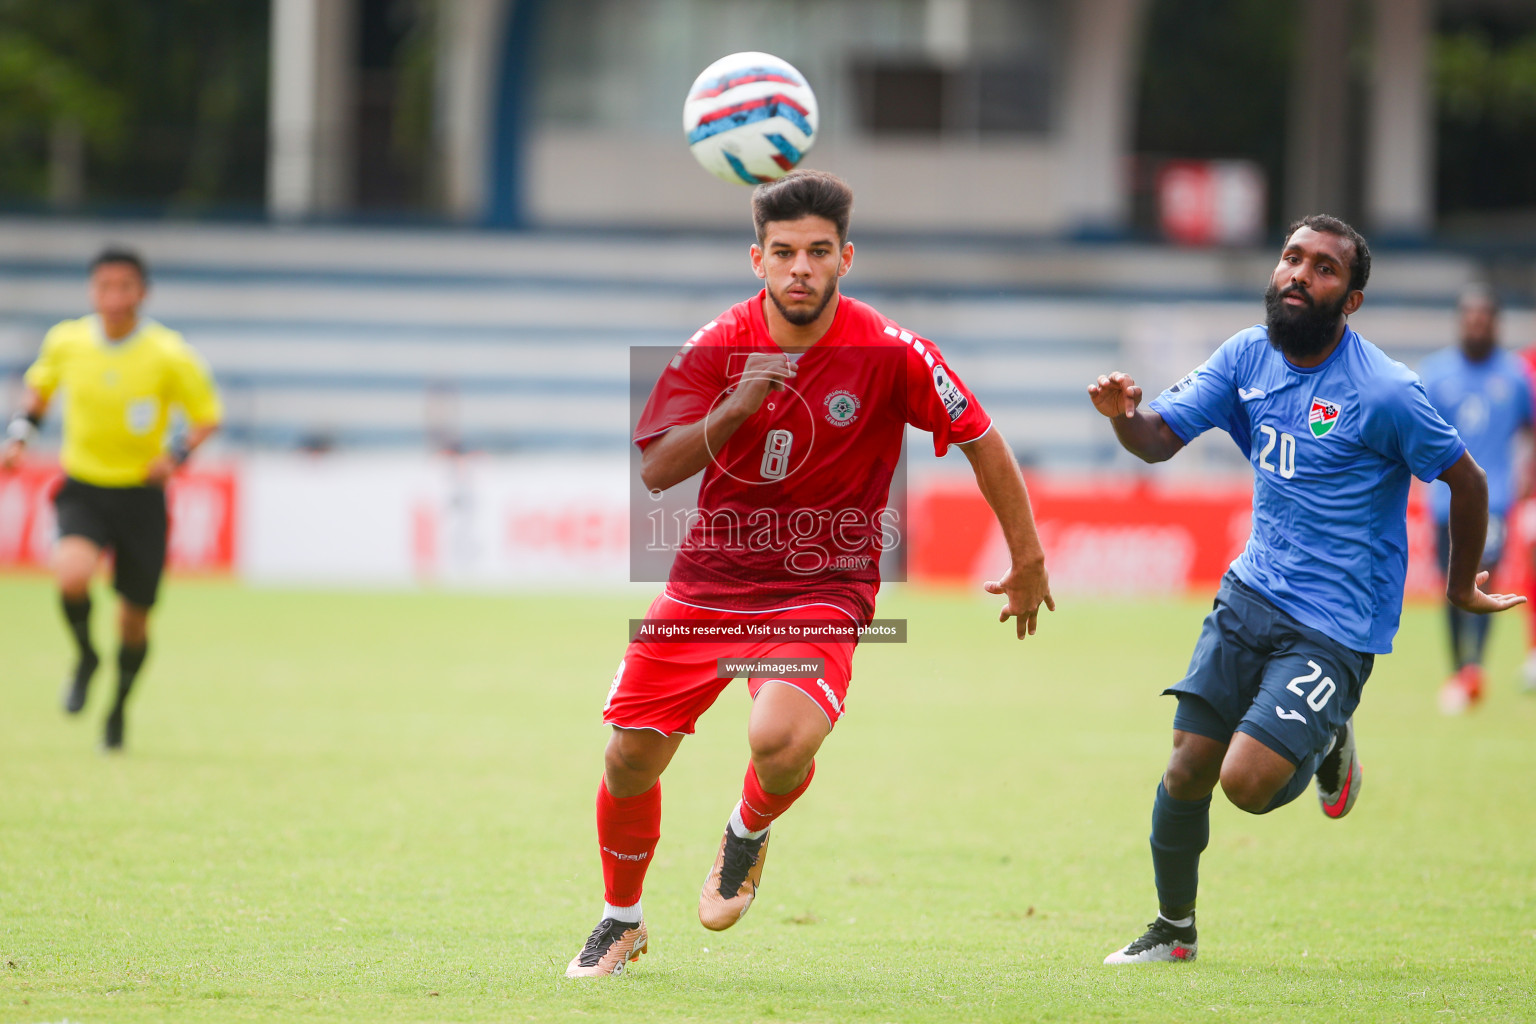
121, 375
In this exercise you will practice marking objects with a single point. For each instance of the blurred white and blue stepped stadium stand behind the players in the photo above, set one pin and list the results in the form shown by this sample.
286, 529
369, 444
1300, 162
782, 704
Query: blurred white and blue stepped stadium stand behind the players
431, 340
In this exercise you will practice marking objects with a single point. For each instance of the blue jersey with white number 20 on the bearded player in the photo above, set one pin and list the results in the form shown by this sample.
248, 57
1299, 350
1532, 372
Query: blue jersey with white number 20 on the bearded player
1332, 449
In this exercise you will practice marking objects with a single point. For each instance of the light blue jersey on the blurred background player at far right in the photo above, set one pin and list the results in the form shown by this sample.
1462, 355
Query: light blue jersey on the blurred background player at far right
1489, 403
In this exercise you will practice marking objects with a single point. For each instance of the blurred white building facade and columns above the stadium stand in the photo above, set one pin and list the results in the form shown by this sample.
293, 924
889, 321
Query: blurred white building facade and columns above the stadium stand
962, 116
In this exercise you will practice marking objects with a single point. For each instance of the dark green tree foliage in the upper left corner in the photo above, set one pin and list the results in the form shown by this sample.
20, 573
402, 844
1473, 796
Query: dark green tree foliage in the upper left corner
170, 99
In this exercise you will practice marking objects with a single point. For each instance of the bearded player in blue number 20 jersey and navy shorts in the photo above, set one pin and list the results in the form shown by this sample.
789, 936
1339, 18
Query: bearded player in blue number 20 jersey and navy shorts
1334, 431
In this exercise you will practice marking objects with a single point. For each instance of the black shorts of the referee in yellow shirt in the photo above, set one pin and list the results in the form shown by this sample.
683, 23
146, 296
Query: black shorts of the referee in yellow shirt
131, 521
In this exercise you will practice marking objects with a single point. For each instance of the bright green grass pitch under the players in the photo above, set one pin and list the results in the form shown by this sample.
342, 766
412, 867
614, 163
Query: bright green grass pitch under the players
379, 808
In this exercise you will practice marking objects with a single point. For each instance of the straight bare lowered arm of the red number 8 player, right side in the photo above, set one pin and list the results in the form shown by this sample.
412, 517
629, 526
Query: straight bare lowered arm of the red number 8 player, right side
1027, 584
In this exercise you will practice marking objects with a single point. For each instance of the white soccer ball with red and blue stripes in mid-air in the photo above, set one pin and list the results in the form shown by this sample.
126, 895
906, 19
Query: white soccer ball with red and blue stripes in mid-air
750, 117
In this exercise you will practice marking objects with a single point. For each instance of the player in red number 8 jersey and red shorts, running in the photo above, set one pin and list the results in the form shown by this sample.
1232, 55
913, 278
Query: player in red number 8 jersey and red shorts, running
793, 405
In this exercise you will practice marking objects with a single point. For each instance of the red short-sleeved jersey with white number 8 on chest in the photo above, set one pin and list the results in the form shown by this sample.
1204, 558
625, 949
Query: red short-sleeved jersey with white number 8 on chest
793, 509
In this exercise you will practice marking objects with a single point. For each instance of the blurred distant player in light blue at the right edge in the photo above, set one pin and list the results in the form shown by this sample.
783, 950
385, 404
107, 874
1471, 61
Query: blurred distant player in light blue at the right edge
1486, 392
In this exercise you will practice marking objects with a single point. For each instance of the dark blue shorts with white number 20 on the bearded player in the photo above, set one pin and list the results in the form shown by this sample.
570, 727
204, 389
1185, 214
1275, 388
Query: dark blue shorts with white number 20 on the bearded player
1257, 670
